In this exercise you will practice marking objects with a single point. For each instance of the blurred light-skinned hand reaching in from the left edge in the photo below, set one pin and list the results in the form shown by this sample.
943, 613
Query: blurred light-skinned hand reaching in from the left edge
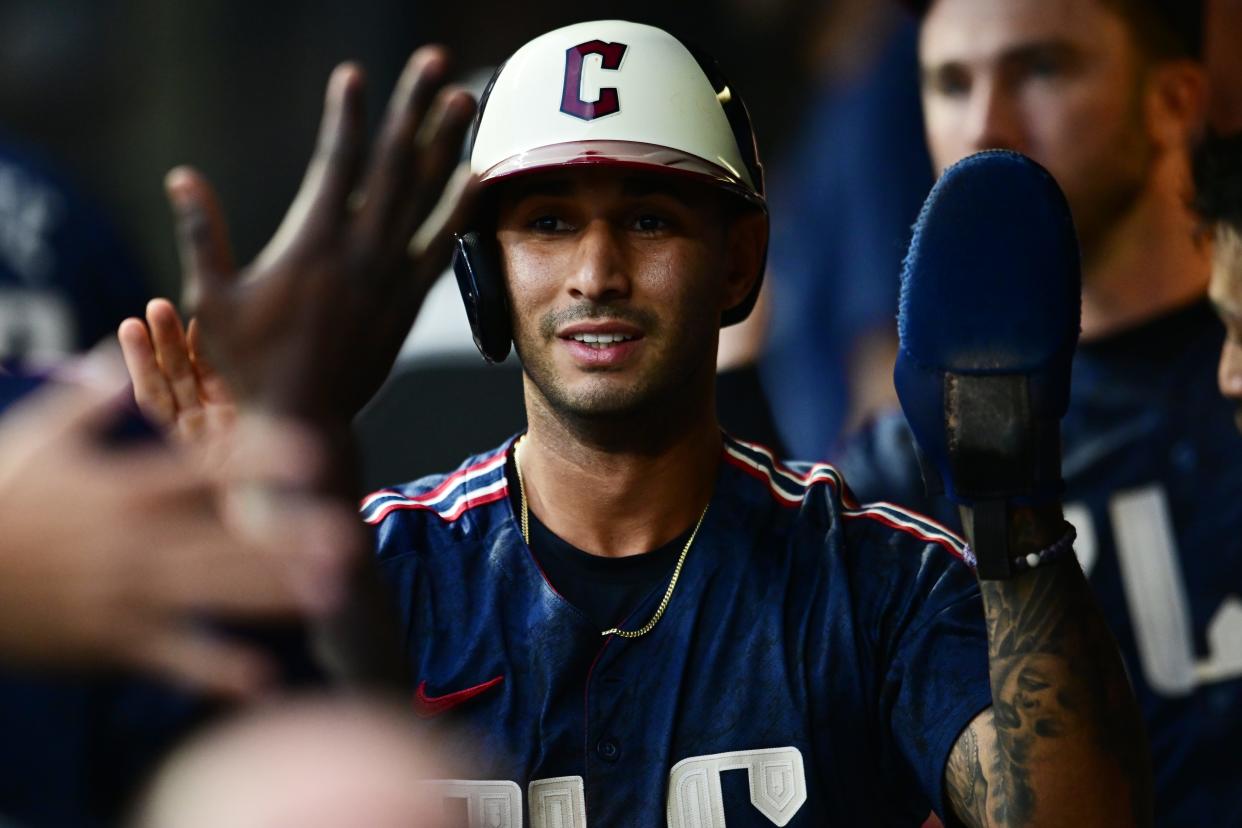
114, 556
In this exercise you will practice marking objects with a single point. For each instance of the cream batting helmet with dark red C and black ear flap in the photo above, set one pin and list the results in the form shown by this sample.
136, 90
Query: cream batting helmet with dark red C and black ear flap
603, 94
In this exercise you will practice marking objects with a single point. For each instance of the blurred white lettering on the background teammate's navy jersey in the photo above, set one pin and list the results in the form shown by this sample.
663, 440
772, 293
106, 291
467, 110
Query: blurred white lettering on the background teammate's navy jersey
1156, 593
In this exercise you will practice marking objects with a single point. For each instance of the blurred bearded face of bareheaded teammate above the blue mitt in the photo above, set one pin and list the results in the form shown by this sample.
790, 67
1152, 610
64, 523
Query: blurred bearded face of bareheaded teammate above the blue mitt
1056, 80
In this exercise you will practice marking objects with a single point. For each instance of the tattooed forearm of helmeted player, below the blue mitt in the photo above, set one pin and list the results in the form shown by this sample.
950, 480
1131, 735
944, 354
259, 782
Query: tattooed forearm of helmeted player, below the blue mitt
1066, 744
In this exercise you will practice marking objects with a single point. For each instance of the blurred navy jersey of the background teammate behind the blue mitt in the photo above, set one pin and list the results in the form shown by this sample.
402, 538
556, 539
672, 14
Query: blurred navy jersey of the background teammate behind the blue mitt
1153, 465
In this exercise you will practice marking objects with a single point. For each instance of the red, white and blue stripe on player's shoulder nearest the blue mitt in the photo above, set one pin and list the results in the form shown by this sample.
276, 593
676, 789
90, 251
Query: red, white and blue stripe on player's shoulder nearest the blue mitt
791, 486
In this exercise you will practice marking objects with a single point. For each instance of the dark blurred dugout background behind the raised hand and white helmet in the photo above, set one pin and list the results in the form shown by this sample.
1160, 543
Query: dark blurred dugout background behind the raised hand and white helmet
116, 92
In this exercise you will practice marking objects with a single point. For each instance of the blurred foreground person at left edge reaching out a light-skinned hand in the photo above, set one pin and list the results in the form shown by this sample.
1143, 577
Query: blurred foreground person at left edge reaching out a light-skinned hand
121, 559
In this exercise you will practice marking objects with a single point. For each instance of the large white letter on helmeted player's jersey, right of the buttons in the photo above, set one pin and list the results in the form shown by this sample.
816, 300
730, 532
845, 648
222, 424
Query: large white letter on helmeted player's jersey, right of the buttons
778, 786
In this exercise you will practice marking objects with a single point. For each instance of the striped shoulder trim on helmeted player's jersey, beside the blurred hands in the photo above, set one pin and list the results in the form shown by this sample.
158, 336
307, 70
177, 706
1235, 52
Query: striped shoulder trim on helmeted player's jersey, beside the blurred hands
476, 484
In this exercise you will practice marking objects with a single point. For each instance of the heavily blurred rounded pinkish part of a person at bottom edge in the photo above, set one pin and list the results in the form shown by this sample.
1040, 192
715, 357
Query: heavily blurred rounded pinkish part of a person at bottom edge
314, 763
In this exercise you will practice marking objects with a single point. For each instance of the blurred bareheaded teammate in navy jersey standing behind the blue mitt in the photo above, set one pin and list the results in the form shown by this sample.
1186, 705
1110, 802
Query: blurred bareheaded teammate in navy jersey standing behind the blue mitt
1108, 96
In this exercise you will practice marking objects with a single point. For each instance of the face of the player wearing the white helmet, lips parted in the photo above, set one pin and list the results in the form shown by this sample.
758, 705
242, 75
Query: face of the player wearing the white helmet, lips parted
617, 284
